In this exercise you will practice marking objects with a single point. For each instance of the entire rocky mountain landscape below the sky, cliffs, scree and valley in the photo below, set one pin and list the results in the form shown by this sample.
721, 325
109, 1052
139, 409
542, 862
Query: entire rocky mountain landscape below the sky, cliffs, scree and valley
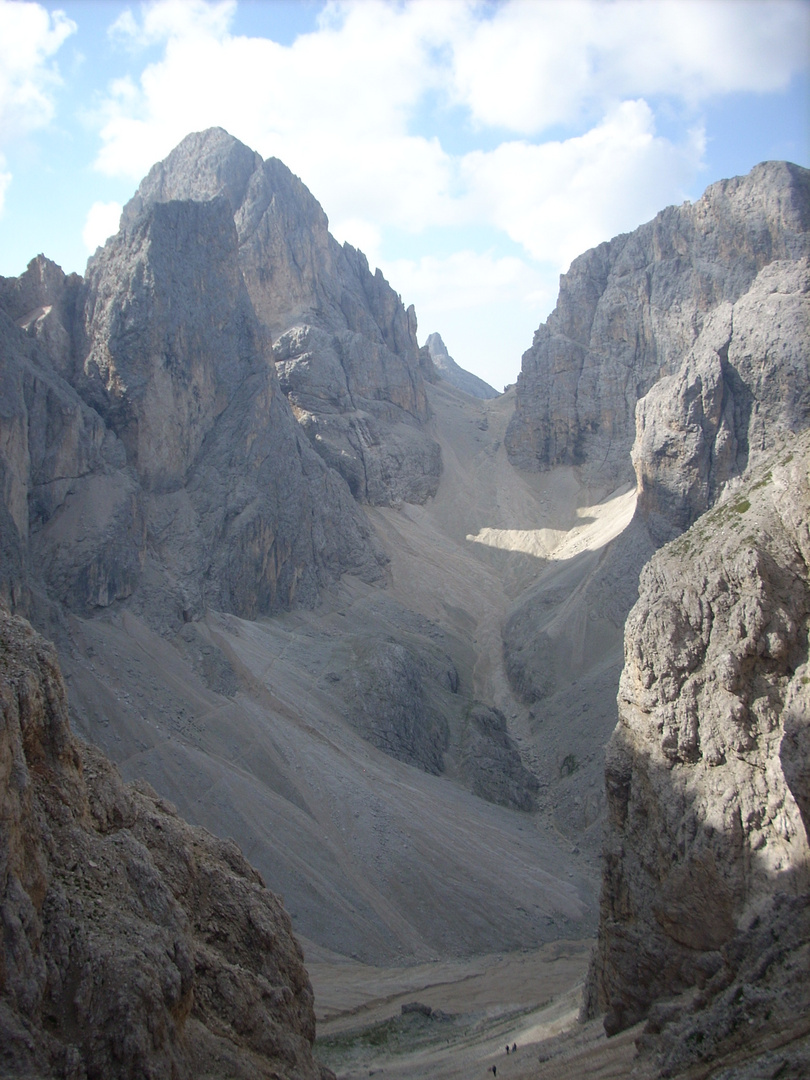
472, 681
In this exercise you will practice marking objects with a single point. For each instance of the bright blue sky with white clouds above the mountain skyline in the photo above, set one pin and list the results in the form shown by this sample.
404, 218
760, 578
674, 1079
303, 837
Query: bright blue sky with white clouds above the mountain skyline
471, 150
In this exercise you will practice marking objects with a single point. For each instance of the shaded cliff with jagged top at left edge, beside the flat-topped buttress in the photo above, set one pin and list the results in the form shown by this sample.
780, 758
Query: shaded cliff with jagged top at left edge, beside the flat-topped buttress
60, 461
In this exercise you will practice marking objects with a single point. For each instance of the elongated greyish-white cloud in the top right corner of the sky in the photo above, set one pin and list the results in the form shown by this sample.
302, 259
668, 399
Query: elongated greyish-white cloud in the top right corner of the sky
533, 65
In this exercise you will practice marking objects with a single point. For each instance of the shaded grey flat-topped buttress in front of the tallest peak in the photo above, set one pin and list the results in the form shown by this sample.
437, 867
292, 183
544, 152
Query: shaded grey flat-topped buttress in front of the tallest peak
242, 512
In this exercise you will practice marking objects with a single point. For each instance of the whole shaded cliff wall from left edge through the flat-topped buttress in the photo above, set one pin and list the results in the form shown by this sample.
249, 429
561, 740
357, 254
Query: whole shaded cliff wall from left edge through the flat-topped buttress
151, 452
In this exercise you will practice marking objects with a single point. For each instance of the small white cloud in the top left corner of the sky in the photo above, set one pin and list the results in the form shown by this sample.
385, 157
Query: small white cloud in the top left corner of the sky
30, 37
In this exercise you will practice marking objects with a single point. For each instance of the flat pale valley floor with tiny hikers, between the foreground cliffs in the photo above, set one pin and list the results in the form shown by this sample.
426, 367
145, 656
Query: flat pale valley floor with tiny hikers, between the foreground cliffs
526, 1000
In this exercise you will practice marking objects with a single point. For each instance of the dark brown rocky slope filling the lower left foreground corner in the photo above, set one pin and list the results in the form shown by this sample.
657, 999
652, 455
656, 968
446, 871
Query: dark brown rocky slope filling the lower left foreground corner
133, 944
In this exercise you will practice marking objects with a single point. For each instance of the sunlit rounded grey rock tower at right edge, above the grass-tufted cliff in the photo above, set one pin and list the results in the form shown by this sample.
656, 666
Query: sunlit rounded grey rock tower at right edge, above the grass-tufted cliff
741, 390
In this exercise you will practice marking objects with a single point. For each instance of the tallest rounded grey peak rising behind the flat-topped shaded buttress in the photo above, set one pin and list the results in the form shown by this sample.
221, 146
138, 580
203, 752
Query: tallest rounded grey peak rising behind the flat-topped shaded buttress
344, 344
